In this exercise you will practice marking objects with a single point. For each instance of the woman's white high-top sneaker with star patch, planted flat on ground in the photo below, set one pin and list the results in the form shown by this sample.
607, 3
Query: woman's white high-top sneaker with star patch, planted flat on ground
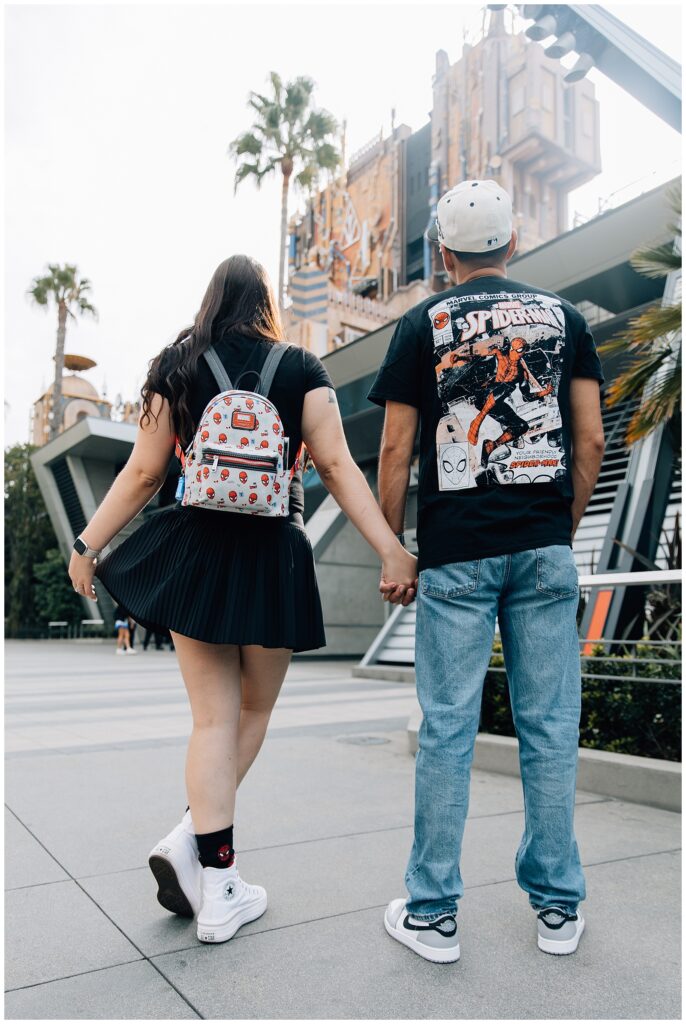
229, 903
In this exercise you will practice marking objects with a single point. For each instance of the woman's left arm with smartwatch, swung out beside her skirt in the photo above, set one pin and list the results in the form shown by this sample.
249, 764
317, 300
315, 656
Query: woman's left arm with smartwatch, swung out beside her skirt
136, 486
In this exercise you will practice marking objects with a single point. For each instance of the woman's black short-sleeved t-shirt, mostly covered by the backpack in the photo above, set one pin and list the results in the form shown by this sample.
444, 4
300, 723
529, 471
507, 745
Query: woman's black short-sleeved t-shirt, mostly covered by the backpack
299, 372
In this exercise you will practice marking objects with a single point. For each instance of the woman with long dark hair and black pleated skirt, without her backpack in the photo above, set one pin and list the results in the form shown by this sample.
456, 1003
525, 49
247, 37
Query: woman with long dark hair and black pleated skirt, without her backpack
238, 591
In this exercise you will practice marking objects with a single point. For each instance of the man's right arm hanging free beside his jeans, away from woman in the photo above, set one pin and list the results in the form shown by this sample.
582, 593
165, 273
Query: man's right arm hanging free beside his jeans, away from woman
588, 443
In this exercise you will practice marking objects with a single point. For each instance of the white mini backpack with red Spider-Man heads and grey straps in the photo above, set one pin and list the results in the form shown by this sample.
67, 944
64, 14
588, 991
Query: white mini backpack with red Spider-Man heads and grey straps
238, 461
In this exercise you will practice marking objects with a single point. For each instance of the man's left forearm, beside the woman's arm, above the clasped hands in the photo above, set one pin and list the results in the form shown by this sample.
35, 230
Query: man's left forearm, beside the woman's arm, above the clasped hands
397, 449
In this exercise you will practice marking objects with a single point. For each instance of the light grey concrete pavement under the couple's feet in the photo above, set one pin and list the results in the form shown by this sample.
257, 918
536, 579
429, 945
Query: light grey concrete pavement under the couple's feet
95, 777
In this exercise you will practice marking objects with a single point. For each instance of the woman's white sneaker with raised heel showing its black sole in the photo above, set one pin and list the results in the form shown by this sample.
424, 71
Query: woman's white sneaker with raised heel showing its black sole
178, 871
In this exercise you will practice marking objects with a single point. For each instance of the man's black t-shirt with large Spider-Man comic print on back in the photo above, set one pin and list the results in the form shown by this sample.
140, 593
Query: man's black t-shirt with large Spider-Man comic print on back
489, 366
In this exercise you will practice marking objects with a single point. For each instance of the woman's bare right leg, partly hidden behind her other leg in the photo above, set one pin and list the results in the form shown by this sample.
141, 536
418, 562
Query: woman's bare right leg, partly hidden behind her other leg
263, 673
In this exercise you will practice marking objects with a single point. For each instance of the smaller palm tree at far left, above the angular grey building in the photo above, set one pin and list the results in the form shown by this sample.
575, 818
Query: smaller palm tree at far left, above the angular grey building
63, 286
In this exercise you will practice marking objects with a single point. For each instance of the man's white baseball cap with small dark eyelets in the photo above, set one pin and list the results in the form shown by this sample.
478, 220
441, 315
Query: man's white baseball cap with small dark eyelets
474, 218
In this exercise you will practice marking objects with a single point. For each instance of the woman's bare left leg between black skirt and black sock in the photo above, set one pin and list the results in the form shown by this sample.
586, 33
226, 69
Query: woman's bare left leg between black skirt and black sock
212, 676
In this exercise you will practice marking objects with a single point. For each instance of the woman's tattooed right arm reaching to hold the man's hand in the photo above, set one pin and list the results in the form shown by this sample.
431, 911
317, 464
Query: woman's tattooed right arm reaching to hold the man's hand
323, 434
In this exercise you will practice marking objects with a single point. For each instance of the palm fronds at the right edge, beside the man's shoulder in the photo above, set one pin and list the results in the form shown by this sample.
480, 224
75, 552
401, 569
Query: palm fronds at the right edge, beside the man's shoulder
654, 374
